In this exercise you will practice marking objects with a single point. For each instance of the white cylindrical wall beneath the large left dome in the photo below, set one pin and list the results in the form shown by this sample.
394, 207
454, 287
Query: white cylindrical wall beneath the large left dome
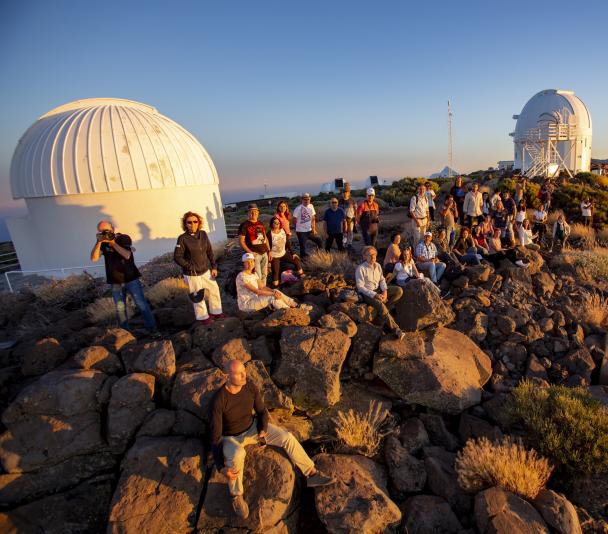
60, 231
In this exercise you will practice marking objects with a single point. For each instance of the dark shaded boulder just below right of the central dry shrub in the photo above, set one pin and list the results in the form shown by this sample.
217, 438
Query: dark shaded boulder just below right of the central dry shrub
407, 474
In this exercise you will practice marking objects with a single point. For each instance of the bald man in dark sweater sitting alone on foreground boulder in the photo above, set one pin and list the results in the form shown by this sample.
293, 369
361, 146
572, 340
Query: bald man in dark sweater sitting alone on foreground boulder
233, 427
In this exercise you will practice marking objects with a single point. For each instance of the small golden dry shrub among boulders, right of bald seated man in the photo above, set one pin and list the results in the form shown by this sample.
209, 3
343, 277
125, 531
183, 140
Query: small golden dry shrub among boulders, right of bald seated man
362, 432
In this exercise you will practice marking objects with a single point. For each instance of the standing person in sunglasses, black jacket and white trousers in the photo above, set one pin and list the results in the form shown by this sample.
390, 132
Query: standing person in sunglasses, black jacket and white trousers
193, 253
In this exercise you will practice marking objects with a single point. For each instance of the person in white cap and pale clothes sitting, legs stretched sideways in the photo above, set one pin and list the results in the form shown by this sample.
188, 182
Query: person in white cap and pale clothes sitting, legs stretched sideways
253, 295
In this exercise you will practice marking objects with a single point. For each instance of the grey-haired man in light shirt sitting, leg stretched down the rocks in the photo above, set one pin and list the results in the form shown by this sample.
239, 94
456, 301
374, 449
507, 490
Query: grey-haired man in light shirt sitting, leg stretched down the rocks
372, 287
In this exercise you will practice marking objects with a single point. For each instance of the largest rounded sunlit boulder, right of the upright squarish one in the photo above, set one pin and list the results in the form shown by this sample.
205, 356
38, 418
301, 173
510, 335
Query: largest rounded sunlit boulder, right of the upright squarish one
441, 369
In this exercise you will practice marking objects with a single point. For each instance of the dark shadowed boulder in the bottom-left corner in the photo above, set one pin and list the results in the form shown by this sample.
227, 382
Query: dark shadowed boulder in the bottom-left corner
80, 509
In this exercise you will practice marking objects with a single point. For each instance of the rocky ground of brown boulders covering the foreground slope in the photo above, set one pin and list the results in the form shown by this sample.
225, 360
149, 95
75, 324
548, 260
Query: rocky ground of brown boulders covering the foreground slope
103, 429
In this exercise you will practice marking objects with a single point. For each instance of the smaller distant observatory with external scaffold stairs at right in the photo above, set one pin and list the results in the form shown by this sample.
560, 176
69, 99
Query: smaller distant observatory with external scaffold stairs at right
553, 133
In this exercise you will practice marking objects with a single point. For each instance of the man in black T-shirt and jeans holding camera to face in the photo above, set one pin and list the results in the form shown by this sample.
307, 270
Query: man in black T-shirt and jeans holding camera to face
121, 273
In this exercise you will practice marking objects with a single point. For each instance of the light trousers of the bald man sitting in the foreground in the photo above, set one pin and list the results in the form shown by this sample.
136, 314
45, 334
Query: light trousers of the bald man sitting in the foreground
234, 452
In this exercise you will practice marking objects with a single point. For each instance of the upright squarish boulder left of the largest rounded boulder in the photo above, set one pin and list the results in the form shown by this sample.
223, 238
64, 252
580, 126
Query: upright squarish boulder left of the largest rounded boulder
310, 365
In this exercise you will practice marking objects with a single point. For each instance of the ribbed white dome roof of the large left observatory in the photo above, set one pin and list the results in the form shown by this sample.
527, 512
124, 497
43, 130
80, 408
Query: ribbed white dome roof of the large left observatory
106, 145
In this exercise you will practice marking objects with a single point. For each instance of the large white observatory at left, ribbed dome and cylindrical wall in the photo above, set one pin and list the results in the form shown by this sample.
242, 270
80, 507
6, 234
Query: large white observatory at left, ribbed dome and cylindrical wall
114, 159
